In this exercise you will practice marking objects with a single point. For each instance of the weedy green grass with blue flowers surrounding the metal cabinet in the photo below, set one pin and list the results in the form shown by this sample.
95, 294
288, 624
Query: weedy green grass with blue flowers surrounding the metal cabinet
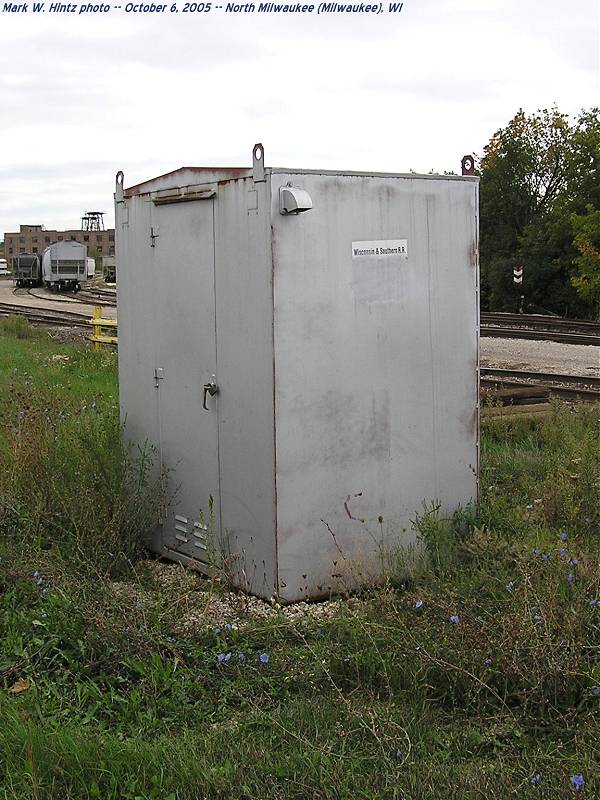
105, 694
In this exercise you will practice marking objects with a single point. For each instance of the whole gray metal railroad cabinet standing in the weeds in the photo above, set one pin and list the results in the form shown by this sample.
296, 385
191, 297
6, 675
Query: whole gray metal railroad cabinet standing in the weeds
300, 348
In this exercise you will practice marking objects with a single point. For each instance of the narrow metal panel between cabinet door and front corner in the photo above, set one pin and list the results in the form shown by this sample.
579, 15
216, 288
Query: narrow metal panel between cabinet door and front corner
244, 303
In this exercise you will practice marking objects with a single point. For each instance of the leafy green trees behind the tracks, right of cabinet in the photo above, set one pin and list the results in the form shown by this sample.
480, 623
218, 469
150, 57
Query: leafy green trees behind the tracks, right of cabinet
537, 174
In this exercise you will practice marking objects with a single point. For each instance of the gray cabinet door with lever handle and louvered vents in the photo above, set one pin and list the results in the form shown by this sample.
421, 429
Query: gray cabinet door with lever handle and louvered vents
182, 235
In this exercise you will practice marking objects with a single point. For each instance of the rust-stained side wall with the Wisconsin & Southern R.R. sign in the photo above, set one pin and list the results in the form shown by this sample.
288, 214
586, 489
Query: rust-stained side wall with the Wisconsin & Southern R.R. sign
376, 369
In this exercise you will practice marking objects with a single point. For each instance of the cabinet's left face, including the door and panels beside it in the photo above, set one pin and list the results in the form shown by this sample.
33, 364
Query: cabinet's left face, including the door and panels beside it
181, 298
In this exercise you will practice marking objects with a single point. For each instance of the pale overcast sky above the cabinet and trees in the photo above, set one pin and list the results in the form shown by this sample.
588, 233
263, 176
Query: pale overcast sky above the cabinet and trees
84, 96
